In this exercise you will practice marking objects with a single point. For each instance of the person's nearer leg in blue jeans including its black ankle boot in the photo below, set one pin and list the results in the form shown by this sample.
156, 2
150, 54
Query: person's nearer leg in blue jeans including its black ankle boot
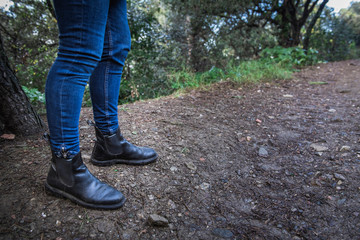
82, 29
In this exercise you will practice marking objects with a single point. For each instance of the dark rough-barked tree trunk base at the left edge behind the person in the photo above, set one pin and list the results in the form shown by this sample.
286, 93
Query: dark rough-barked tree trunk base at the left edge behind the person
16, 112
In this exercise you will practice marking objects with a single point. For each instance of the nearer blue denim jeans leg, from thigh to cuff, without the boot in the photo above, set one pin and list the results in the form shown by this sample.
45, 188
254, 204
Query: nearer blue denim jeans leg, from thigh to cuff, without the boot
81, 32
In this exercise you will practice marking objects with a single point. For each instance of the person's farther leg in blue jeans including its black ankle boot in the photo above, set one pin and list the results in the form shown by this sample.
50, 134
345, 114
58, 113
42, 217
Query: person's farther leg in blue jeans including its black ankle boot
111, 147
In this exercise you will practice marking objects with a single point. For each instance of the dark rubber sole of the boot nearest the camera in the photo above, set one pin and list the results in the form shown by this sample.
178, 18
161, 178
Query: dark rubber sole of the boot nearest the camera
59, 193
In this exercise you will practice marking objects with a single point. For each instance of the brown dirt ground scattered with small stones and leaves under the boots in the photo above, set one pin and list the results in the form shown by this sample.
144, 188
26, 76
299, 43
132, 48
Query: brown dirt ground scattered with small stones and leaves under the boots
278, 160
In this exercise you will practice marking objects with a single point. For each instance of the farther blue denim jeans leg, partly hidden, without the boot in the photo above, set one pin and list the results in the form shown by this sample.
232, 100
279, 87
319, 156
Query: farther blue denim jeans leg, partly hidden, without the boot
106, 78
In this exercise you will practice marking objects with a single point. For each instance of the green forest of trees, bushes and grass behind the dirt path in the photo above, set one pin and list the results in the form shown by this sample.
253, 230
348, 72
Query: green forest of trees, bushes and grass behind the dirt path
182, 44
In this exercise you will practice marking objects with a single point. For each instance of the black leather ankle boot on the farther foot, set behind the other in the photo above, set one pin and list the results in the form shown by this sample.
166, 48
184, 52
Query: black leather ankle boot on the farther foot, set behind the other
115, 149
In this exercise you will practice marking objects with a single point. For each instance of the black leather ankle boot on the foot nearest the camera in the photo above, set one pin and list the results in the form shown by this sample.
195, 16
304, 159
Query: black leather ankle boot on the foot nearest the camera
71, 179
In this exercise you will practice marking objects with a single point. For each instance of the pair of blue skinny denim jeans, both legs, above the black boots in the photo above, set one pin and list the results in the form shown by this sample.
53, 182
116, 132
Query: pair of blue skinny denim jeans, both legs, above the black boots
94, 43
